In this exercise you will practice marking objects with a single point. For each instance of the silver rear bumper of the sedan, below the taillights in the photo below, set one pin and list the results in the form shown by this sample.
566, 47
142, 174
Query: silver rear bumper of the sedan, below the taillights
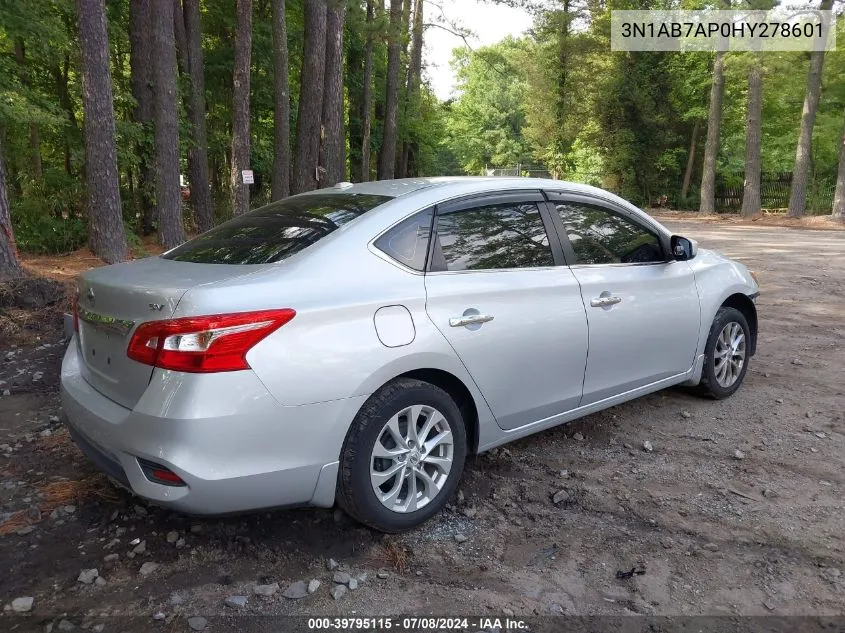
236, 448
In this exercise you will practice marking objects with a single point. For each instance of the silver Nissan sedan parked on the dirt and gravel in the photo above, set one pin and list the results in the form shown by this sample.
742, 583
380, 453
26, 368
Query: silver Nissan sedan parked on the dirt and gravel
355, 344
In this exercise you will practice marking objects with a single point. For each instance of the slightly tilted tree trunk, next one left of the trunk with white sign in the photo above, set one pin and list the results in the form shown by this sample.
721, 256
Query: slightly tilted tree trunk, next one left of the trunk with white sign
200, 196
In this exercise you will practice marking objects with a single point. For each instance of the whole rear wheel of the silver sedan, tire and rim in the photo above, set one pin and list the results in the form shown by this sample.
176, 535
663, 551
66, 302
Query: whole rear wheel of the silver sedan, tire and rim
403, 456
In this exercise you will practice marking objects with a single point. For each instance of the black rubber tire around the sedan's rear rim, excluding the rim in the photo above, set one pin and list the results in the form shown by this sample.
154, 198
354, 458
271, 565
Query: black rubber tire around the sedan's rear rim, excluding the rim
355, 492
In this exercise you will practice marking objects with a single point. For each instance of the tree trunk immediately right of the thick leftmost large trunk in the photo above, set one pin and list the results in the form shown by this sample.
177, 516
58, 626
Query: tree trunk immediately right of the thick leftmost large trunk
140, 62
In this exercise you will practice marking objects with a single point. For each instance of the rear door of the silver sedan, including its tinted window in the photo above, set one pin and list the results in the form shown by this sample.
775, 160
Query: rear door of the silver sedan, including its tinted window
514, 318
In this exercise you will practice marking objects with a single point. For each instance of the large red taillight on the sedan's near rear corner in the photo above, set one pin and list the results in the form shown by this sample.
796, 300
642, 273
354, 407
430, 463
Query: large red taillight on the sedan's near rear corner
204, 344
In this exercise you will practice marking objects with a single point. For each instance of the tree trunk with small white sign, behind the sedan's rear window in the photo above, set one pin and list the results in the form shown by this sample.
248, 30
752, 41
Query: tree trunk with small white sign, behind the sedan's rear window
240, 107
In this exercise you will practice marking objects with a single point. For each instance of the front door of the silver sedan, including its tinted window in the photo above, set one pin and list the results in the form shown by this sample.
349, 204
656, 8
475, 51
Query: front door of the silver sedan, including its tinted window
642, 306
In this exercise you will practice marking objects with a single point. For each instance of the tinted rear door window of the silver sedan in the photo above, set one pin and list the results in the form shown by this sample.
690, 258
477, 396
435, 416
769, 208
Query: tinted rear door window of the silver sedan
508, 235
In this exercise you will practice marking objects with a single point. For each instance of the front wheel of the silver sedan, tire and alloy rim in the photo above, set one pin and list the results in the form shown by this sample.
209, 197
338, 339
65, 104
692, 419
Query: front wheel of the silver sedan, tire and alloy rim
726, 354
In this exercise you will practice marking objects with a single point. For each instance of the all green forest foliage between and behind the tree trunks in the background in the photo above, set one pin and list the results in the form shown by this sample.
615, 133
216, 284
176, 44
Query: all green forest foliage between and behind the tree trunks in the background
557, 96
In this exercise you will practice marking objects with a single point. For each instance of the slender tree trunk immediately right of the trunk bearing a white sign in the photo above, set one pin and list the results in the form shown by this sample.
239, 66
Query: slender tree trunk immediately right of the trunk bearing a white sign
280, 187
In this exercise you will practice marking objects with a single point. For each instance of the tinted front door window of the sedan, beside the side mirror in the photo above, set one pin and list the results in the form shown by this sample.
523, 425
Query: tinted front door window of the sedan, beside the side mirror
599, 236
